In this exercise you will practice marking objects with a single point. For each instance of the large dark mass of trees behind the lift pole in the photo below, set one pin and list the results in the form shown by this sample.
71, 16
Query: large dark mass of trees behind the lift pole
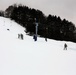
50, 26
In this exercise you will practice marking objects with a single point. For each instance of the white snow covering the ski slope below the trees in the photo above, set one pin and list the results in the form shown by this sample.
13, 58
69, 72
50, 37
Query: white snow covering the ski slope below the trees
26, 57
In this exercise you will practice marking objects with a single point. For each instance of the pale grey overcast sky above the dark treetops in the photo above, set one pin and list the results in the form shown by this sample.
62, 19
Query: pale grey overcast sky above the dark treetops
63, 8
